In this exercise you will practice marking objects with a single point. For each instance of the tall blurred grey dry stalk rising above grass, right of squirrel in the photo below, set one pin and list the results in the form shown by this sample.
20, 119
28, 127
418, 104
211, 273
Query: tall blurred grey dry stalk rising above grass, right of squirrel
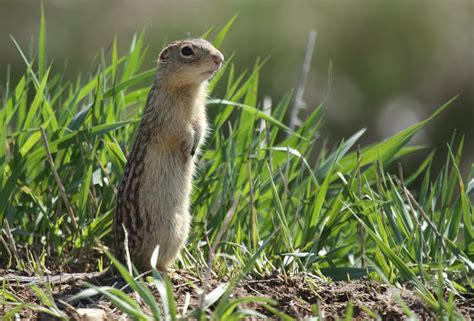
299, 104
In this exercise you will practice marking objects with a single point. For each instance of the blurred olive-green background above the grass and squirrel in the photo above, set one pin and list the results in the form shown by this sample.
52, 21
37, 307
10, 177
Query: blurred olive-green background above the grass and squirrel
394, 61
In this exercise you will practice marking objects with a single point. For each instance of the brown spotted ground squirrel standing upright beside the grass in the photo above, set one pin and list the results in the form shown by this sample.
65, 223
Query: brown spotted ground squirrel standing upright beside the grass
153, 197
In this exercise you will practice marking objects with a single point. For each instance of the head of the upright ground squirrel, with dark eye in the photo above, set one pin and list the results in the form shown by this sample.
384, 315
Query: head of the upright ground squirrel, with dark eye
189, 62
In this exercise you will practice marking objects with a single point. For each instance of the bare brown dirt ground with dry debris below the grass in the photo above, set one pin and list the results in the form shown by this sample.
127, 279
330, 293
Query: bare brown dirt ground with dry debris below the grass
298, 296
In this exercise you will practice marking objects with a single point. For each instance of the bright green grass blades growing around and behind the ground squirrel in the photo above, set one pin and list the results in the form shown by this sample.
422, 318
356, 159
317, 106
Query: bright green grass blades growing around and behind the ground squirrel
265, 198
